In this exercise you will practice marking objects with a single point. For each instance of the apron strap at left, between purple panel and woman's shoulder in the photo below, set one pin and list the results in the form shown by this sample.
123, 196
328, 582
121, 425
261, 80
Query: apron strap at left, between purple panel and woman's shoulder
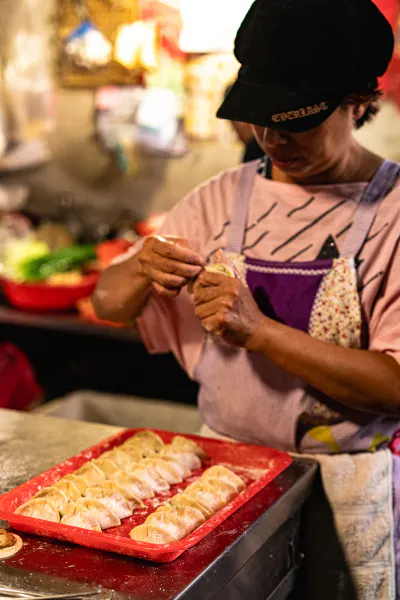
240, 208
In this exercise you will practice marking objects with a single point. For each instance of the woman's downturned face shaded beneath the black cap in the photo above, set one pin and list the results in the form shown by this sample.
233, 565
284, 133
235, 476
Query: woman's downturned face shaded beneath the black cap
301, 156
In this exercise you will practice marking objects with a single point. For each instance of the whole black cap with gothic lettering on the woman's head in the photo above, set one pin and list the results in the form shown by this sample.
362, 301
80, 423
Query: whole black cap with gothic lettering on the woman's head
301, 58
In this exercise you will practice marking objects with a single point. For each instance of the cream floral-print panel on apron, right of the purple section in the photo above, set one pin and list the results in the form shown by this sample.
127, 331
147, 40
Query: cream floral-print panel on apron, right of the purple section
336, 314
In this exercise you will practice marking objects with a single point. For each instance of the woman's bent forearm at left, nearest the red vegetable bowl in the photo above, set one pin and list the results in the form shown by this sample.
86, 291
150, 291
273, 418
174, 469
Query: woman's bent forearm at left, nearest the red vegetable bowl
122, 292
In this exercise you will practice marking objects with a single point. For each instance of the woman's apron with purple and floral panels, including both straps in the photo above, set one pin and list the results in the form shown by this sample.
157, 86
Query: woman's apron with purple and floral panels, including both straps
246, 396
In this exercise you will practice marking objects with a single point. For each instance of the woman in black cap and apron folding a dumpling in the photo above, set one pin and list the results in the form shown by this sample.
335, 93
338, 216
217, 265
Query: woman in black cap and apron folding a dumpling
301, 349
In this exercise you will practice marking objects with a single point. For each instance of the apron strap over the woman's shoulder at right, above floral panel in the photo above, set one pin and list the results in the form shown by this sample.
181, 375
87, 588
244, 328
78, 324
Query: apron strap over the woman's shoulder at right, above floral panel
380, 186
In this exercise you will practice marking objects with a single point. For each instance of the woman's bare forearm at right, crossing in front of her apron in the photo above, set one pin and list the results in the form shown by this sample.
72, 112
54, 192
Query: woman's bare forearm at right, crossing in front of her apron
359, 379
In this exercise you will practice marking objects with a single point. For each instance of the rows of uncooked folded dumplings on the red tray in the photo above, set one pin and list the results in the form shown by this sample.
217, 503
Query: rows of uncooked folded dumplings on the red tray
111, 487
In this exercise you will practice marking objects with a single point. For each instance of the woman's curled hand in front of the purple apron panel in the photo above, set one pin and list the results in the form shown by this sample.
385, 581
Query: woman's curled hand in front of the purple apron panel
227, 308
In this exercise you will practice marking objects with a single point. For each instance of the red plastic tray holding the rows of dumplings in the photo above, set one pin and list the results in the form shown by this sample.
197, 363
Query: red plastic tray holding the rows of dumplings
257, 465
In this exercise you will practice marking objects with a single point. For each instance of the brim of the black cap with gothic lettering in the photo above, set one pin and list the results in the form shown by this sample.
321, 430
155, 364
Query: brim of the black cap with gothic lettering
278, 107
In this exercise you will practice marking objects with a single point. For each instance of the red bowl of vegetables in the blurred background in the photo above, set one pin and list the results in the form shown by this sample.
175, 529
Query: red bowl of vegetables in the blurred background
40, 297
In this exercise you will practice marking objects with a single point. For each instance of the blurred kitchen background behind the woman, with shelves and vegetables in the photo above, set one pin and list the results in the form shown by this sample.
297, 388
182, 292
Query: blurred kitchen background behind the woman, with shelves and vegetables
107, 120
